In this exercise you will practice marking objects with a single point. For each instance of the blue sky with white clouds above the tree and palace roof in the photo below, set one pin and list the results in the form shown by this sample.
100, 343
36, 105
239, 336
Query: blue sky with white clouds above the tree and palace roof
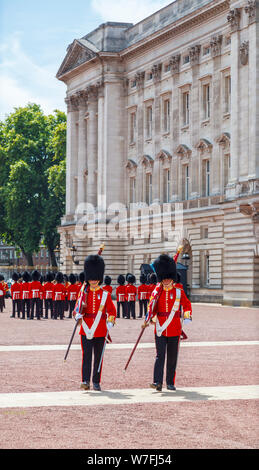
34, 35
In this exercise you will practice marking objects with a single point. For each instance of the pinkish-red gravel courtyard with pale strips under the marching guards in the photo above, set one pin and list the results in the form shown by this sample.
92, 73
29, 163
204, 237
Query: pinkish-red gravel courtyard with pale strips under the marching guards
215, 405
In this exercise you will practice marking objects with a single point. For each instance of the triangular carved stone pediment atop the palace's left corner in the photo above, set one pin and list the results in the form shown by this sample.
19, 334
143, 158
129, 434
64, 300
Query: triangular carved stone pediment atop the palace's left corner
79, 52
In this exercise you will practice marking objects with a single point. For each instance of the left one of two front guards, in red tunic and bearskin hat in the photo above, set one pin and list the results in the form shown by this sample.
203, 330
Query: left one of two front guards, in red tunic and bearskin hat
97, 316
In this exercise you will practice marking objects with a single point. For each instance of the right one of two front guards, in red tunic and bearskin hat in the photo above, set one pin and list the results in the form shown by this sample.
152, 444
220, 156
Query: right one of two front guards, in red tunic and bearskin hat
167, 307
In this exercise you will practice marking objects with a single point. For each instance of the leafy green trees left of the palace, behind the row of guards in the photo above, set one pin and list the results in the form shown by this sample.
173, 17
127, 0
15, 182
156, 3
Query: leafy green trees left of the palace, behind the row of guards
32, 163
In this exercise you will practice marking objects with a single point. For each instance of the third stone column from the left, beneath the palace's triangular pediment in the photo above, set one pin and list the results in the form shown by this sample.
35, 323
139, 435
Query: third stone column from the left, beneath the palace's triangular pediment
92, 145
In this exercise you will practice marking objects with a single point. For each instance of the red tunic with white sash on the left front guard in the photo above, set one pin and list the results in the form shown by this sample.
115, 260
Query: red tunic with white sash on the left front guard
91, 304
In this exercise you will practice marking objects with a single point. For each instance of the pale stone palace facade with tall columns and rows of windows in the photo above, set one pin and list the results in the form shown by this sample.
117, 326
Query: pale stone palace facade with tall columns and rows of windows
162, 119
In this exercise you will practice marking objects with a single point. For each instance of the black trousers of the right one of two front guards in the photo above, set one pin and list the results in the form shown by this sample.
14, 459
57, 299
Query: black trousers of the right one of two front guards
166, 346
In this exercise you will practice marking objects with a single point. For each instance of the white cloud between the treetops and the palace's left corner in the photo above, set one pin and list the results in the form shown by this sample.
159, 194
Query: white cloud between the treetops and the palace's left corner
22, 80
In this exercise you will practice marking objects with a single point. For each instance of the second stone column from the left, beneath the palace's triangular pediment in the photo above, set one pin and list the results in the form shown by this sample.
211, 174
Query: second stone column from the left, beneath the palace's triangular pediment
82, 151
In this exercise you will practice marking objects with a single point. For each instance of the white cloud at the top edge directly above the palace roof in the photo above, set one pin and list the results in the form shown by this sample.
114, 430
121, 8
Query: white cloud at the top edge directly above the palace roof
127, 11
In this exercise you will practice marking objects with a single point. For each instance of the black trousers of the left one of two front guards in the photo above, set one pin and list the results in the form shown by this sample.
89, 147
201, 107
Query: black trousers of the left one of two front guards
90, 346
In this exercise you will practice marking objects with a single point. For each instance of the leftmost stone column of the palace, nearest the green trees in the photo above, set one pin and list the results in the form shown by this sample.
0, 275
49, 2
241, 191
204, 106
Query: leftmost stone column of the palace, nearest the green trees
71, 154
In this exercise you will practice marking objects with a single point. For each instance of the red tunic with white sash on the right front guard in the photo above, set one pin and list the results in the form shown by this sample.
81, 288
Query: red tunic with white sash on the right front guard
164, 307
